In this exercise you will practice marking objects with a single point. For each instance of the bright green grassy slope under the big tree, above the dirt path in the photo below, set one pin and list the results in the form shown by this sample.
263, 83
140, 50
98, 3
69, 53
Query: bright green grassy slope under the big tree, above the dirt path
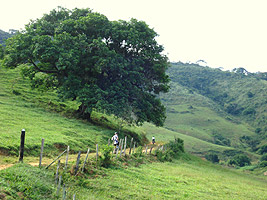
42, 115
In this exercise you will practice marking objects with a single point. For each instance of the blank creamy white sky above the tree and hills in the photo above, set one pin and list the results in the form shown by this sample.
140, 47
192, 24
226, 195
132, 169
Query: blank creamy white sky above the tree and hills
224, 33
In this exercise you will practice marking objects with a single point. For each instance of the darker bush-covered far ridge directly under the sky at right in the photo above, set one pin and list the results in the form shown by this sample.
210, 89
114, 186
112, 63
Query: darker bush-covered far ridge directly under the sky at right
241, 95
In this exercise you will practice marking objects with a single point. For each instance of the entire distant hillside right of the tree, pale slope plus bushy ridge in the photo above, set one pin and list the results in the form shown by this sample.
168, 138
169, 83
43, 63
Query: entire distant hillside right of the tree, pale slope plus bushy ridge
197, 106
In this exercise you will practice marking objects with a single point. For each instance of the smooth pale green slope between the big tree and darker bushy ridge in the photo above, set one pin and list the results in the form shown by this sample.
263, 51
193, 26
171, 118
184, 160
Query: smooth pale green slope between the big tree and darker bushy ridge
193, 114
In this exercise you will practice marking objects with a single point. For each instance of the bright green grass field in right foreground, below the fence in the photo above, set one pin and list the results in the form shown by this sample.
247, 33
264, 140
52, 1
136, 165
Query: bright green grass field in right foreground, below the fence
183, 179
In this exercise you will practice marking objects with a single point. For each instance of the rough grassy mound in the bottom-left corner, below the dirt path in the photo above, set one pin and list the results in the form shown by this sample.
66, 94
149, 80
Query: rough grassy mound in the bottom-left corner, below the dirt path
23, 180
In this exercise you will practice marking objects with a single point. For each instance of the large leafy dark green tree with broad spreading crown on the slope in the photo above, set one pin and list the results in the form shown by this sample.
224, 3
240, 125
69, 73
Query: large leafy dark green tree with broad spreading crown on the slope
116, 66
